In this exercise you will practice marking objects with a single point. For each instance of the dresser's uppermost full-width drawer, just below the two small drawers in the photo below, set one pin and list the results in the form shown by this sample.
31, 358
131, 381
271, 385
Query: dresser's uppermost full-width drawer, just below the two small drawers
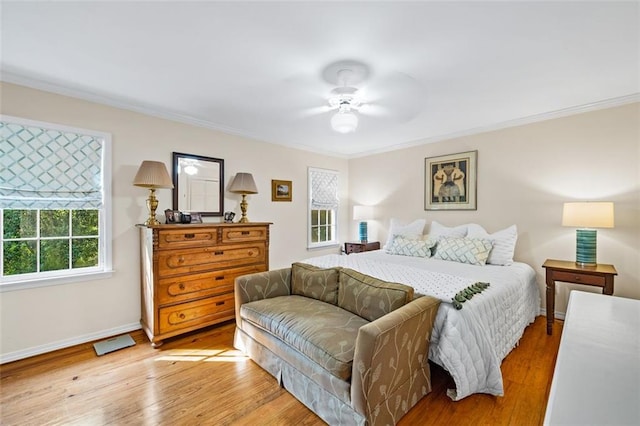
210, 258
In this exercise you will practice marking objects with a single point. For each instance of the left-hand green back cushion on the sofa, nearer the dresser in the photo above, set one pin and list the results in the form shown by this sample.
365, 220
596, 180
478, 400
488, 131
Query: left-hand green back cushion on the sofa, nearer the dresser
316, 283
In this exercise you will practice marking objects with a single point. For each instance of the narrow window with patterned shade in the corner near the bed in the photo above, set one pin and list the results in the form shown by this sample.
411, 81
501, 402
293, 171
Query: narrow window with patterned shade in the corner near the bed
323, 207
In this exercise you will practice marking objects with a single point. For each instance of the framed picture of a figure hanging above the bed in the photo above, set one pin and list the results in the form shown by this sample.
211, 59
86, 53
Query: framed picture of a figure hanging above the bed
450, 181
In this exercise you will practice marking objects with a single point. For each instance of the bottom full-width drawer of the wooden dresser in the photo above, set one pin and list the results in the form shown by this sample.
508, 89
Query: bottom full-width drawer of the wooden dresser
196, 314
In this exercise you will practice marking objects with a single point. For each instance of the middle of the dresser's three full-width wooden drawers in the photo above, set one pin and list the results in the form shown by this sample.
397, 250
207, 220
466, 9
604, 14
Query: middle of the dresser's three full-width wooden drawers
194, 286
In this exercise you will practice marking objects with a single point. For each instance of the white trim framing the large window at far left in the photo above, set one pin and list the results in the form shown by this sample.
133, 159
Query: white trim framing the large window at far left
21, 282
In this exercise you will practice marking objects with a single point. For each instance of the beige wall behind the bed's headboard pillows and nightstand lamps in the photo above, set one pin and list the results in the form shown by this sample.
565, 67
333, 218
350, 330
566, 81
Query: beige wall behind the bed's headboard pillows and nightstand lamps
525, 174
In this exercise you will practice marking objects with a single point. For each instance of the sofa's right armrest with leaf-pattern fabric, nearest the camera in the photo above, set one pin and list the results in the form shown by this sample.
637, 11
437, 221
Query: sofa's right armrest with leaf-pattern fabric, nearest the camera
390, 356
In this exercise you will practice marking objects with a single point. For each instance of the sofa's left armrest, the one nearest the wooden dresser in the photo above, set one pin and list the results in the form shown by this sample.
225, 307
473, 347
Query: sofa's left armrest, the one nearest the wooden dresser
261, 285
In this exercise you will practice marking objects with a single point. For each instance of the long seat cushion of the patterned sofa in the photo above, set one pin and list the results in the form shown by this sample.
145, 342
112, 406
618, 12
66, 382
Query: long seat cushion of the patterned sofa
323, 332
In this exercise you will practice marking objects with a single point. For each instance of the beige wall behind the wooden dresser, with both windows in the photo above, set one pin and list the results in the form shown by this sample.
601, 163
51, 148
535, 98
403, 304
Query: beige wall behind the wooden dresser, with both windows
44, 318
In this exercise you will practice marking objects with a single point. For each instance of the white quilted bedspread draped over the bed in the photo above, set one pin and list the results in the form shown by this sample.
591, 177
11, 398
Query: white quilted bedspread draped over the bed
472, 342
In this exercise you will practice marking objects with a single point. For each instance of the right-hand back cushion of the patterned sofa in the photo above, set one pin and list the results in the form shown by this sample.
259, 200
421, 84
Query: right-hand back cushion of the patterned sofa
369, 297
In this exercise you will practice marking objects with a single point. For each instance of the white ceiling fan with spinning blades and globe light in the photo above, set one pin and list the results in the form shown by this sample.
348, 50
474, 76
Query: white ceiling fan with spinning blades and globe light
352, 97
